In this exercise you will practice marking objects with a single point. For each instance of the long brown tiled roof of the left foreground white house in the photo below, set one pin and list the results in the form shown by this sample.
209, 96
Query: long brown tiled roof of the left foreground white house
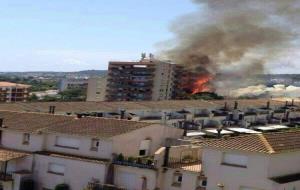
92, 127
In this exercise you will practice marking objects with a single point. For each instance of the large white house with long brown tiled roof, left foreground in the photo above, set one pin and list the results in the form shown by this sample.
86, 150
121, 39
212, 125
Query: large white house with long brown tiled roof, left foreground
53, 149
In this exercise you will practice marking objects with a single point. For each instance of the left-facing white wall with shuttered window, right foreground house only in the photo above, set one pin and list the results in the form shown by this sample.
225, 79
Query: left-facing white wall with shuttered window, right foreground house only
255, 175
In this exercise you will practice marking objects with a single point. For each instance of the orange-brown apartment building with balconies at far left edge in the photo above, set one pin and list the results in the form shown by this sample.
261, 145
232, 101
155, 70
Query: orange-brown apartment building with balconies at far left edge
13, 92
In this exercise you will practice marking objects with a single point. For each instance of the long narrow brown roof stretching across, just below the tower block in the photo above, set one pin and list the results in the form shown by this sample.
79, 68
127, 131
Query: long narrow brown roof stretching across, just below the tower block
64, 107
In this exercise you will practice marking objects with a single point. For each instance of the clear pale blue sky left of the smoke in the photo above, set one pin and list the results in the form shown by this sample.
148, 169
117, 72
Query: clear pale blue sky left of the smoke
71, 35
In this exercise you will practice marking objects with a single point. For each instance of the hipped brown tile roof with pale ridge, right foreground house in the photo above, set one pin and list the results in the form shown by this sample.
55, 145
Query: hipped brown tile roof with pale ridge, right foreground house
268, 143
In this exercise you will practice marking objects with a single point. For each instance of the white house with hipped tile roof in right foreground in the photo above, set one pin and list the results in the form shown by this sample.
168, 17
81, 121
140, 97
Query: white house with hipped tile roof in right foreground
269, 161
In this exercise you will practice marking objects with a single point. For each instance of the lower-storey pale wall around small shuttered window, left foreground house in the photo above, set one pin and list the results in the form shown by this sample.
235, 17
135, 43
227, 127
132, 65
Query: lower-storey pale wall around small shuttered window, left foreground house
77, 173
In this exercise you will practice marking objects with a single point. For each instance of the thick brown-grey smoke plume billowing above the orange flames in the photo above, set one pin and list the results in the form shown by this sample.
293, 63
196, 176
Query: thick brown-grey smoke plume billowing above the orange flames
235, 38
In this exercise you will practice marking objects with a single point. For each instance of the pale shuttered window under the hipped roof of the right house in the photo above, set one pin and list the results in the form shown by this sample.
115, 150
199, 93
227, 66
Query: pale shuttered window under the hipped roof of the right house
236, 160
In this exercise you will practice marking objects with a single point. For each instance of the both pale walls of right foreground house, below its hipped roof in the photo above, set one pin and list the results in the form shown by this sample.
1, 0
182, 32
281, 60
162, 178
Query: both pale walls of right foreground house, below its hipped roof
261, 167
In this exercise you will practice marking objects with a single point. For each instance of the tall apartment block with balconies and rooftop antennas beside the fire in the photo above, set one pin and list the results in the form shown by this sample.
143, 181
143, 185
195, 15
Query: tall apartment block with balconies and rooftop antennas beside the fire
147, 79
